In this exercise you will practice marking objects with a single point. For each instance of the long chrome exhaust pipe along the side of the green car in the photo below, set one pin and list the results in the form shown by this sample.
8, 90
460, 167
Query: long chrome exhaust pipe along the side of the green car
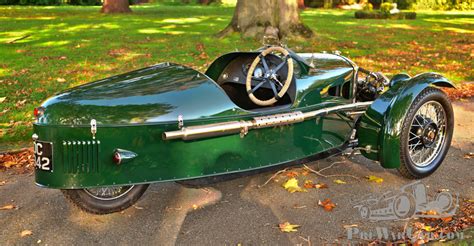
242, 127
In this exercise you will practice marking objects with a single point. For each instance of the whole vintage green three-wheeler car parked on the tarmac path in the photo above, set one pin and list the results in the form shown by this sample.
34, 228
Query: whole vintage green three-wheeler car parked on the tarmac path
104, 142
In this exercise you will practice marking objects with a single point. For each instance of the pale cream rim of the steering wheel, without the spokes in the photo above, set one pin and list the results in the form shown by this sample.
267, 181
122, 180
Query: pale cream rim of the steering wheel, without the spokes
286, 85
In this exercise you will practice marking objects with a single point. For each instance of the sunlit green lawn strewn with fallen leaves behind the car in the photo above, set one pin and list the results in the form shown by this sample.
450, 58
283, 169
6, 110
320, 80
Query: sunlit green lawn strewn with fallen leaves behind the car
69, 46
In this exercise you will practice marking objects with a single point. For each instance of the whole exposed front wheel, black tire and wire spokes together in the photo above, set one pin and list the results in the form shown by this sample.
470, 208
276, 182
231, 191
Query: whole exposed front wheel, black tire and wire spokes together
426, 134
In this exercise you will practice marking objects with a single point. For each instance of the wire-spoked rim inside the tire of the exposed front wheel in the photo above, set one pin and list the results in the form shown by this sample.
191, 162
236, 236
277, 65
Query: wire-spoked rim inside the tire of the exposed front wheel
427, 133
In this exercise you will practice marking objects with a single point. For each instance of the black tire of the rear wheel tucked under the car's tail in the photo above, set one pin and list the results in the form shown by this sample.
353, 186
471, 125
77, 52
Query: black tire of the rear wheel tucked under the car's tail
86, 201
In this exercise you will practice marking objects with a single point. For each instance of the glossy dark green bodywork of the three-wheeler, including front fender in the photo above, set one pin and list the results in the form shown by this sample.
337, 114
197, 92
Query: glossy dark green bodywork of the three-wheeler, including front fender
134, 109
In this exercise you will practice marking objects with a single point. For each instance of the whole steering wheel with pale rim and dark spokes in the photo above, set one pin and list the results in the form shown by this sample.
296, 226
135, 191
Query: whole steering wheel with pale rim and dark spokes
269, 76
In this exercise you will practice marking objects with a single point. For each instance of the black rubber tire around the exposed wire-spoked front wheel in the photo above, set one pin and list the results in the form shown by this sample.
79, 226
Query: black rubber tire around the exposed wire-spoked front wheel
408, 168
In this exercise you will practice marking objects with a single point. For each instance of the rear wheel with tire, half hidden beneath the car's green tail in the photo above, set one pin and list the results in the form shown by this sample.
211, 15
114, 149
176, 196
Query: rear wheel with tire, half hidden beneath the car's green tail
105, 200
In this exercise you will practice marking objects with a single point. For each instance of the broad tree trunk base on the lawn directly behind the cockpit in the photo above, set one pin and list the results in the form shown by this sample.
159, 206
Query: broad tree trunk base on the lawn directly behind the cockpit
277, 18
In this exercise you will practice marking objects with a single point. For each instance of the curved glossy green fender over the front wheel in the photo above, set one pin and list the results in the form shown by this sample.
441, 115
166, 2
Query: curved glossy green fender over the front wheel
380, 127
